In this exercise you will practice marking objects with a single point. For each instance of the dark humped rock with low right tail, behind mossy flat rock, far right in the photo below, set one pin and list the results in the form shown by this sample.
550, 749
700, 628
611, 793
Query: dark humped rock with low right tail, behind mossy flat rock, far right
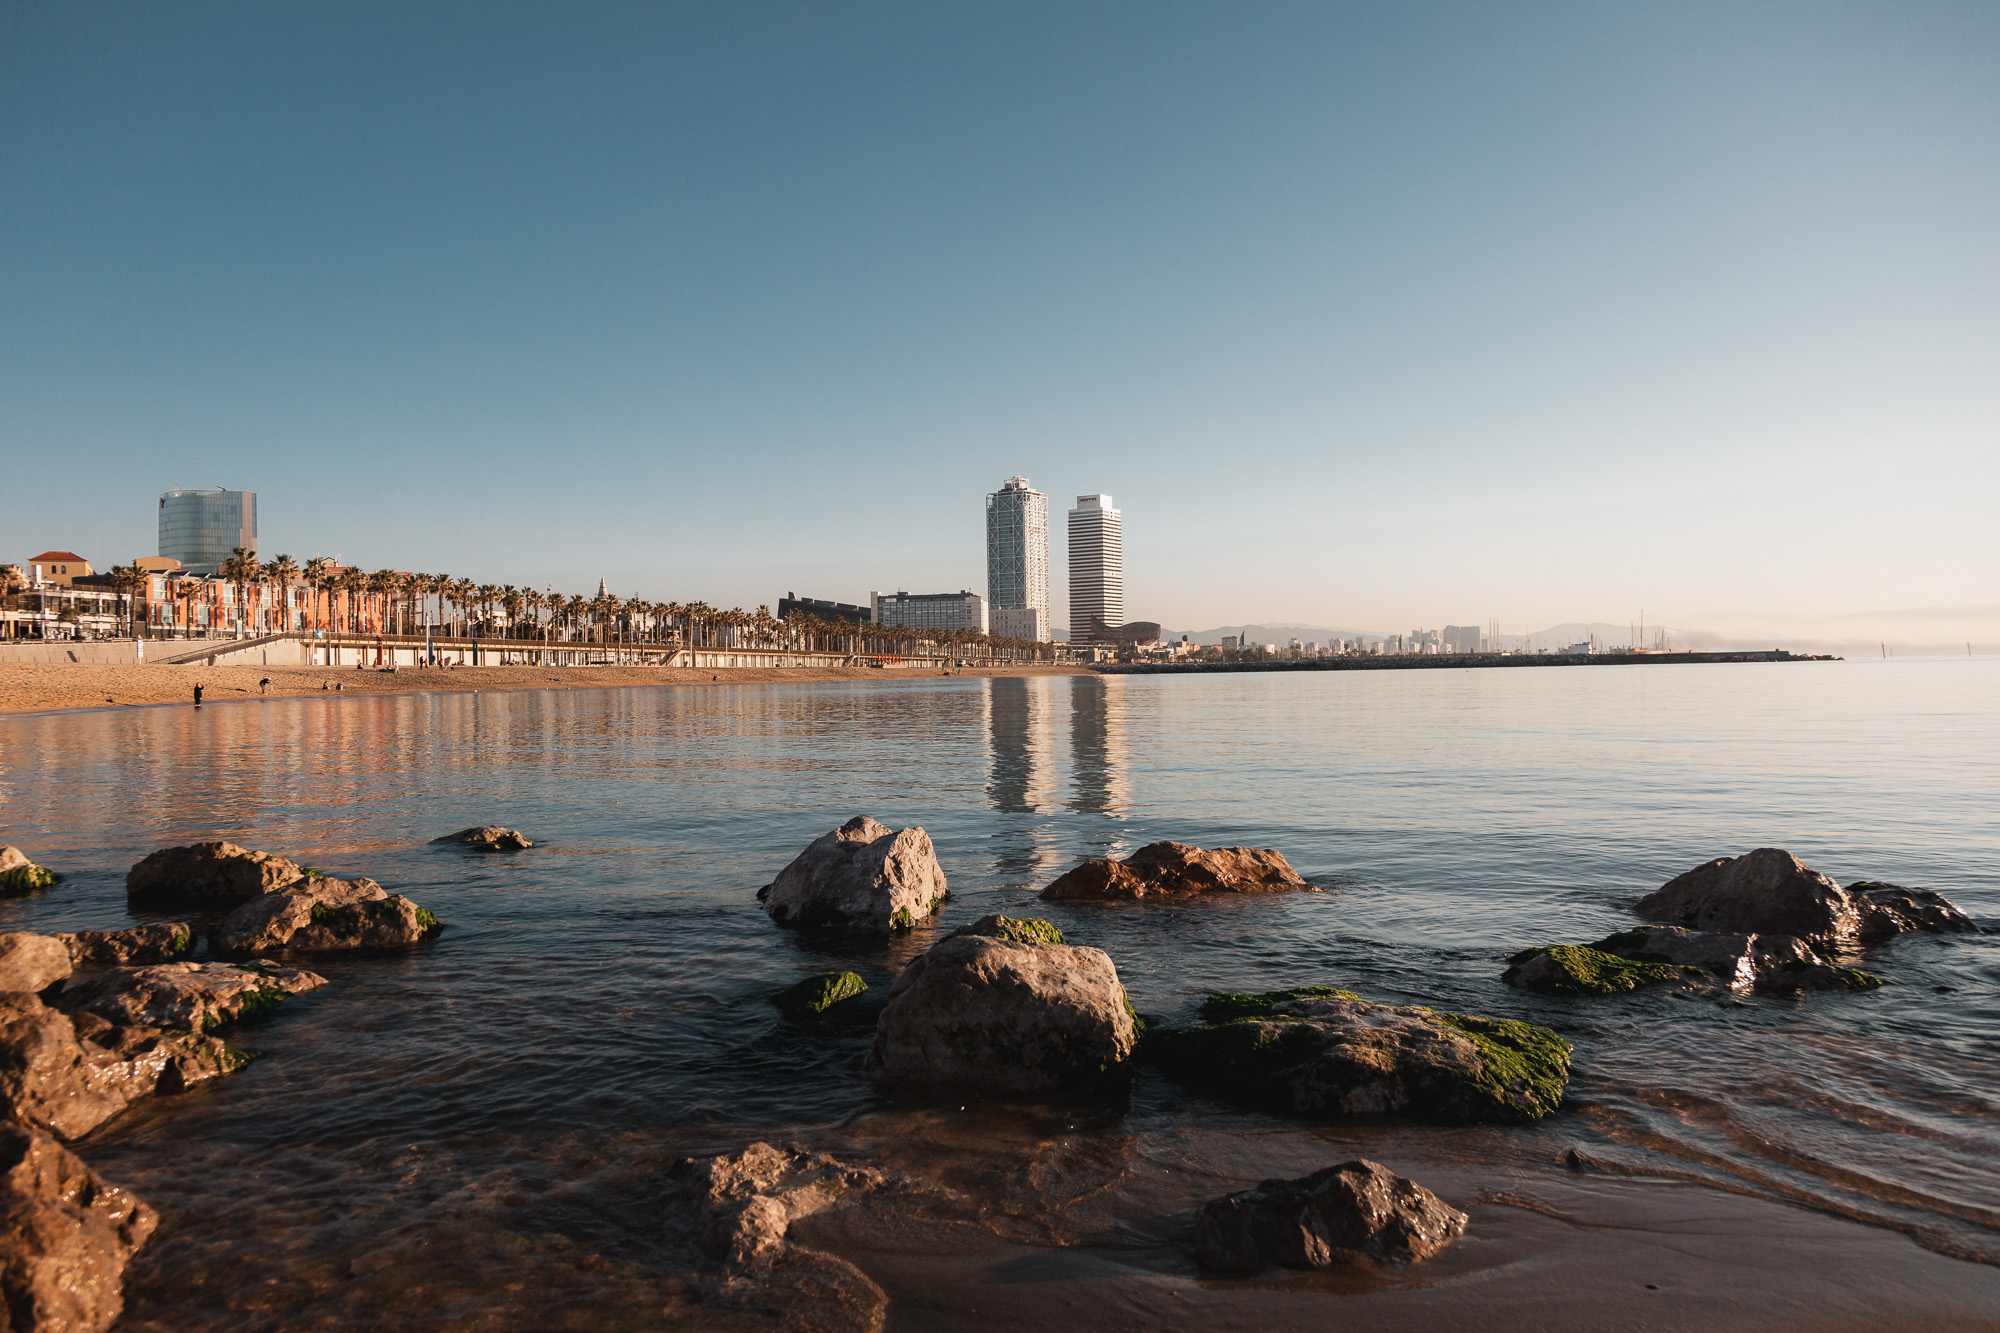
1771, 892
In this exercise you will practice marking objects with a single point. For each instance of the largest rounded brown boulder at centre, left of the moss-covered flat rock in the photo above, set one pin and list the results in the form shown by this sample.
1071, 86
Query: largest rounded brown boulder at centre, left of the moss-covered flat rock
1001, 1008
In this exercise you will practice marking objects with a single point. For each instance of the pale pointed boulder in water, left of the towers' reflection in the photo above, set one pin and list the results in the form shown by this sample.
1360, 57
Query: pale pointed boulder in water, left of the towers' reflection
863, 876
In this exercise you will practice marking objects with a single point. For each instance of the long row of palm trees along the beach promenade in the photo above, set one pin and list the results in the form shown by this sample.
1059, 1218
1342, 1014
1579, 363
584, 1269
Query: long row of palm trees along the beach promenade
405, 603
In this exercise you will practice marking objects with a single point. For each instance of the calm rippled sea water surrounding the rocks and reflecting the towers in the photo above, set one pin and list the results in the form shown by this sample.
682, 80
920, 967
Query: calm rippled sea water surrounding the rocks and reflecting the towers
483, 1122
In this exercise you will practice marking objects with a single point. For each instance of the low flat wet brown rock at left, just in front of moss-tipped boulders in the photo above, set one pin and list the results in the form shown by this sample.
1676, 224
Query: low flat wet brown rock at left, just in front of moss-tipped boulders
187, 998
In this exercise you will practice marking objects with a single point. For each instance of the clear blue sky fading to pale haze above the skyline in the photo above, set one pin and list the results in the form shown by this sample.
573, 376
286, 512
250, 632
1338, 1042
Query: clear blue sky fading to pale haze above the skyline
1367, 315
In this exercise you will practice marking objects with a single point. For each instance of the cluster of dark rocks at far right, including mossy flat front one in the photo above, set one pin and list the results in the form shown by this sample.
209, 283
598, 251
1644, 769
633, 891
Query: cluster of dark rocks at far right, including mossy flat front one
1763, 922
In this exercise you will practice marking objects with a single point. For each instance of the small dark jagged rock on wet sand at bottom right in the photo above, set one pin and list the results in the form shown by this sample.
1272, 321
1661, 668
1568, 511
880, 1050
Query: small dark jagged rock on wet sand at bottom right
1359, 1210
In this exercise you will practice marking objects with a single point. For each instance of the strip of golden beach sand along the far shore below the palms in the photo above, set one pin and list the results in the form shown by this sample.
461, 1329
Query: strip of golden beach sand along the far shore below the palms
57, 688
